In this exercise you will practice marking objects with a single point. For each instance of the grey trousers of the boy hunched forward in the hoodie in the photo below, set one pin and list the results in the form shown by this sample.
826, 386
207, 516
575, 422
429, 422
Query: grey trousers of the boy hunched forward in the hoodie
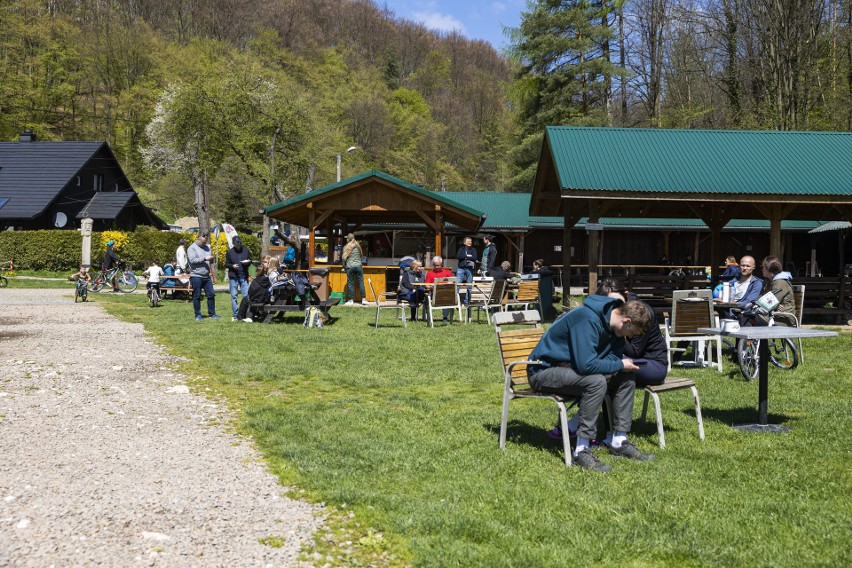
592, 388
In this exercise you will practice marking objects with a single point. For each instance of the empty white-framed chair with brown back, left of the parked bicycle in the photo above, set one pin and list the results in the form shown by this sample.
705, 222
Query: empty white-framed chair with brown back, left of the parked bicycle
692, 309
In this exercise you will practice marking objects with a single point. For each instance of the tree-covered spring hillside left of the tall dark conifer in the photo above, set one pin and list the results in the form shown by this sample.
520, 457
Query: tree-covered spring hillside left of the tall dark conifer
252, 98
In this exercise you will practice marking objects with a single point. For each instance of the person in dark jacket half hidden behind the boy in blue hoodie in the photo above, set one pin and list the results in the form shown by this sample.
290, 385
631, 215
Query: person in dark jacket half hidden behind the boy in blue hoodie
649, 347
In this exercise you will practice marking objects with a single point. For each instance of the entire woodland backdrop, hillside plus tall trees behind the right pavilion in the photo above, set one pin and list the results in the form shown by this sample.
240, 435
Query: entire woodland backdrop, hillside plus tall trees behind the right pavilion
250, 101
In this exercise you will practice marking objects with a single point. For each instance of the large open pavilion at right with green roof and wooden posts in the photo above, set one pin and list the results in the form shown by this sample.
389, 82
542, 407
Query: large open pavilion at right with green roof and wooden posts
715, 176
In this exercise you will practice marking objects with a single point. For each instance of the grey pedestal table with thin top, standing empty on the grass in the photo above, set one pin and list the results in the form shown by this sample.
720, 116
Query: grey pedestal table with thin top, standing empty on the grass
764, 334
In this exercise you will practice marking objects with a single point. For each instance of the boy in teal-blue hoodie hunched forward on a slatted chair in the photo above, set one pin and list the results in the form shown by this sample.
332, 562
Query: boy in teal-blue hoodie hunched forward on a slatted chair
581, 354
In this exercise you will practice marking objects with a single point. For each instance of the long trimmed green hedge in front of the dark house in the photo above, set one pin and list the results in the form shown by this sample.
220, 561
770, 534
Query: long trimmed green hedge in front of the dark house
62, 250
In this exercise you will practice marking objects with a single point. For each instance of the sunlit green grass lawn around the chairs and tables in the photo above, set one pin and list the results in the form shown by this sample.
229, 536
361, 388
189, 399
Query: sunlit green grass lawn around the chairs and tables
400, 427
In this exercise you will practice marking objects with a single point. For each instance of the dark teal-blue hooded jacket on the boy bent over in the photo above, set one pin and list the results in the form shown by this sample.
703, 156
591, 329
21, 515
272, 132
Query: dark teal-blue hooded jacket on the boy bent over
583, 339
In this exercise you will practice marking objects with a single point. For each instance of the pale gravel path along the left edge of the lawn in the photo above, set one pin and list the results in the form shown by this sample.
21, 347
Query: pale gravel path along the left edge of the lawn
107, 459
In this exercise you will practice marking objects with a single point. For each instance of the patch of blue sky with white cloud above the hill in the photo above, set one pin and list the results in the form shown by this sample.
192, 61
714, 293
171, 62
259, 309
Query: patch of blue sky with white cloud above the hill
476, 19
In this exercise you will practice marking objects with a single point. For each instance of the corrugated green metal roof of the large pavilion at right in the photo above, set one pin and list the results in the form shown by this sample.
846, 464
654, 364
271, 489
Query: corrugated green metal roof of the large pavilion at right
702, 161
